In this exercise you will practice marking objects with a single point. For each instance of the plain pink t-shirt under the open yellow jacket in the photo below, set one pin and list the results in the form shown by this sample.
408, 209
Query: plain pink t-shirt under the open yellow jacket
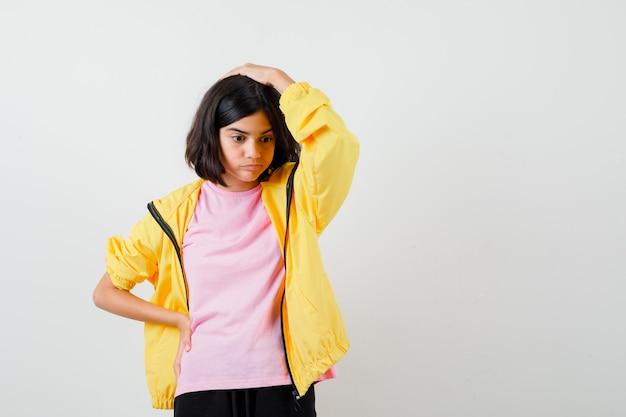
234, 270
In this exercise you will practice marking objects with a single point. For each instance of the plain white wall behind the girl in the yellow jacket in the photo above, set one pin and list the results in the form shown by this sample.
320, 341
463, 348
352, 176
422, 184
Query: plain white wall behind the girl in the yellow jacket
479, 259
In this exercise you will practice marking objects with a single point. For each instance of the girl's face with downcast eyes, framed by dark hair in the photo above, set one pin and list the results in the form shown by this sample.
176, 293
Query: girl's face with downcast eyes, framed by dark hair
247, 150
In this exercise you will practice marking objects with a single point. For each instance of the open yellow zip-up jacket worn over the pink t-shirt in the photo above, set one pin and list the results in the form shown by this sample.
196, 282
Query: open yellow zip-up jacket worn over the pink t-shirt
313, 329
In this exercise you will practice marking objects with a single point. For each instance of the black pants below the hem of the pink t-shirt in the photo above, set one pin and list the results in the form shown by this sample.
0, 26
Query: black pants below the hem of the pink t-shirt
253, 402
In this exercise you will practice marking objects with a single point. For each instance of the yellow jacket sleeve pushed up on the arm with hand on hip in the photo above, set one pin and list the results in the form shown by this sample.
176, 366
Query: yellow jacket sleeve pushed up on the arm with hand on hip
133, 260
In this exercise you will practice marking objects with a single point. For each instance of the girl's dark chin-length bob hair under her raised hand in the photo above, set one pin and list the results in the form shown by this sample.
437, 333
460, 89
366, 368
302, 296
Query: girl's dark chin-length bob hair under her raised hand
227, 101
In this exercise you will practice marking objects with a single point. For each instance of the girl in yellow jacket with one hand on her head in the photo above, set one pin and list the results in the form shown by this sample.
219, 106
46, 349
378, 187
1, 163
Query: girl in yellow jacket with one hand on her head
242, 321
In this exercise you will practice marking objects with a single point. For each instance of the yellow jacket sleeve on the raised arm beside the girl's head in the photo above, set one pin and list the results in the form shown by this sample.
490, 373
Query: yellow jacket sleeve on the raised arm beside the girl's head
328, 156
